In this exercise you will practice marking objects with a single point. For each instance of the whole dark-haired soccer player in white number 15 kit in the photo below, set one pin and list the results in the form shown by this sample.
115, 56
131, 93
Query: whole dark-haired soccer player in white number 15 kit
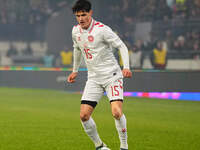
95, 41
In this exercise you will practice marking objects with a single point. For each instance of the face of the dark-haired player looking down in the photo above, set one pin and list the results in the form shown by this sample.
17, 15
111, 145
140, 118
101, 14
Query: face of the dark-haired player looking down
84, 18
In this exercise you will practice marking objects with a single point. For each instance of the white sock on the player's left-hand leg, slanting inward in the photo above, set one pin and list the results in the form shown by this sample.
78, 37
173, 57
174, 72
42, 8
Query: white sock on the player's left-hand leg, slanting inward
90, 128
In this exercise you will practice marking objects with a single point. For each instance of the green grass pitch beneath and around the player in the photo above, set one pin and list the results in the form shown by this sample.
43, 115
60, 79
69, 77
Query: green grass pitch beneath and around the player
35, 119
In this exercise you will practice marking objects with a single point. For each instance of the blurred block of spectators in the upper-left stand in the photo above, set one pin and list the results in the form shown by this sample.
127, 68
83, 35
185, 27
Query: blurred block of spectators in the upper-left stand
29, 11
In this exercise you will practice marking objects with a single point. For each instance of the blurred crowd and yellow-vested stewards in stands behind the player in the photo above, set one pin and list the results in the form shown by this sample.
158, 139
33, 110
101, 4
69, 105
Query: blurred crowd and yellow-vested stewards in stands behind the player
175, 26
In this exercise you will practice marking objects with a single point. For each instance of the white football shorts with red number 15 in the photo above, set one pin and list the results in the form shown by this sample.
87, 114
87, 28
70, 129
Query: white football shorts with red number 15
93, 91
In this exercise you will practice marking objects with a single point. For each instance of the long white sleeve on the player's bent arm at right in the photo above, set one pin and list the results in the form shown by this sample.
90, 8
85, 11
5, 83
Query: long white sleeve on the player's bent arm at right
113, 39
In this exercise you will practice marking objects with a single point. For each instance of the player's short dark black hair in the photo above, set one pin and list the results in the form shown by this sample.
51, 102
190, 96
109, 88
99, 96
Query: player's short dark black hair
82, 5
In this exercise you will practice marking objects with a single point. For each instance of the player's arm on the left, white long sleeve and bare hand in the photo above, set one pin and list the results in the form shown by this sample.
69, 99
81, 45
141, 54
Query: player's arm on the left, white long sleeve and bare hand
77, 59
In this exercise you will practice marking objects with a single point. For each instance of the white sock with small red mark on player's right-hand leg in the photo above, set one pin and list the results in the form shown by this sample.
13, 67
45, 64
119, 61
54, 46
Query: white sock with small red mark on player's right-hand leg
122, 131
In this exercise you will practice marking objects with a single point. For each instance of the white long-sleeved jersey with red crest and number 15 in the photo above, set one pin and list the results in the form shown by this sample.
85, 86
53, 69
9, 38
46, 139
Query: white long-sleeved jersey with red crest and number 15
95, 44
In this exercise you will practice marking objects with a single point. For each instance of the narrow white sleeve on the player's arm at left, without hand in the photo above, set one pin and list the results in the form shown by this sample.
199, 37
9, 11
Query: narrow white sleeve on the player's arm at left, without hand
77, 55
